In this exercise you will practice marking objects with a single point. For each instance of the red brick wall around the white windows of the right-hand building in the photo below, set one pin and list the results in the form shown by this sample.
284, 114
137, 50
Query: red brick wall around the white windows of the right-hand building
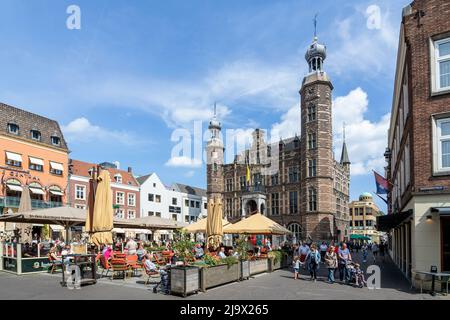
436, 21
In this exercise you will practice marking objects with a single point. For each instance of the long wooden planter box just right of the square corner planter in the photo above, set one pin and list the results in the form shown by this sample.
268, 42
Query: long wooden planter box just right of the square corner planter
217, 275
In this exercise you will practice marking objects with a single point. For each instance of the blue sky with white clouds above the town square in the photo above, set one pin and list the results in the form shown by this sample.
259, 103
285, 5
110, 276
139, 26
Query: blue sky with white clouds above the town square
138, 70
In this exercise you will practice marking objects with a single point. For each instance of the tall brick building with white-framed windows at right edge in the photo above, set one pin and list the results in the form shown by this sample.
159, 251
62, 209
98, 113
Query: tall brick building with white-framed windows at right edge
419, 141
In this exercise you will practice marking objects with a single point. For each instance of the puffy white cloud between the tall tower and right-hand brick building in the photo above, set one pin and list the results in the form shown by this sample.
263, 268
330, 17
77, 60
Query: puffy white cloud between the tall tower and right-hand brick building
366, 140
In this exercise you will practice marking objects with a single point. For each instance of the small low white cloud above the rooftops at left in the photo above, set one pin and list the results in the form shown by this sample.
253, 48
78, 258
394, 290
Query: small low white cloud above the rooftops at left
82, 130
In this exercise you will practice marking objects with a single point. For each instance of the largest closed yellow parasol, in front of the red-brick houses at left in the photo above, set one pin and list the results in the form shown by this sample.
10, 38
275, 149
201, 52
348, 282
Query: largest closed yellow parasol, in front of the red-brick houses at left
100, 225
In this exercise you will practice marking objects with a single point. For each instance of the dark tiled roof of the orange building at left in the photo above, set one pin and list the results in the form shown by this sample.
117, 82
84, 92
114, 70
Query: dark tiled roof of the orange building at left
28, 121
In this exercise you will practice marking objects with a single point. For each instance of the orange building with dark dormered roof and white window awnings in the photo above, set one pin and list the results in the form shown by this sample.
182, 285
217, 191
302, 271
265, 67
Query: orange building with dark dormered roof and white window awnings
33, 154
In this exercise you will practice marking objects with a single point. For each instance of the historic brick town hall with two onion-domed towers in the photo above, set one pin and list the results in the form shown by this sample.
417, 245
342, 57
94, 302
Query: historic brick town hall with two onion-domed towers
296, 182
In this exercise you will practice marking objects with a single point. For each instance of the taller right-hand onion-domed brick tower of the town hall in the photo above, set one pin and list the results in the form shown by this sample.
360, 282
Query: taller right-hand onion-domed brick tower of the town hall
317, 161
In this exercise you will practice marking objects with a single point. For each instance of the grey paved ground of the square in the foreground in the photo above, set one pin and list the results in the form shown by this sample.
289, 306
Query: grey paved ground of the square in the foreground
278, 285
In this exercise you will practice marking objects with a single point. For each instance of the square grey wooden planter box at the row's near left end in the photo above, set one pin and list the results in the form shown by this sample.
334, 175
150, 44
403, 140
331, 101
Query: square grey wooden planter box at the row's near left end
184, 280
